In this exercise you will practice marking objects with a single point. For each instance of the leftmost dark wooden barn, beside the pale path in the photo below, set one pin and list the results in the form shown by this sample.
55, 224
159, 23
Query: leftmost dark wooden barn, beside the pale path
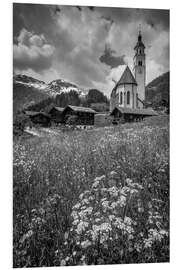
40, 118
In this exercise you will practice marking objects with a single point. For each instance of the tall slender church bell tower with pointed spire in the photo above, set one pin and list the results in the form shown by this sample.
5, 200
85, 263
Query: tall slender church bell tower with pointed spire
140, 69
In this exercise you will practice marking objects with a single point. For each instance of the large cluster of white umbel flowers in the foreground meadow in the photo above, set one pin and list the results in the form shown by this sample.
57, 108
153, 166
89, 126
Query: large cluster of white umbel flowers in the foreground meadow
111, 215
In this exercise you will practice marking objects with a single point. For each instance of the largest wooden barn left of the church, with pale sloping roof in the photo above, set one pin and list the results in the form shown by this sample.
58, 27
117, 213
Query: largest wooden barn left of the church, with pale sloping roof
81, 115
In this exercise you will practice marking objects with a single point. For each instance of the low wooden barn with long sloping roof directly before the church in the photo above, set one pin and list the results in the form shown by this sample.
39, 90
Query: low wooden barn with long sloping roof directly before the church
121, 114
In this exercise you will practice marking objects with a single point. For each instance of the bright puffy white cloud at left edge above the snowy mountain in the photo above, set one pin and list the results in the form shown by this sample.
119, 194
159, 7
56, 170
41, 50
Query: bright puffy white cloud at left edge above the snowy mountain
32, 52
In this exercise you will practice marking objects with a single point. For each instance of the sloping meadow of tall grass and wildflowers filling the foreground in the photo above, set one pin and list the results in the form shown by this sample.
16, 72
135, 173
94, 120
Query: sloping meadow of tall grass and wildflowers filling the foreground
90, 197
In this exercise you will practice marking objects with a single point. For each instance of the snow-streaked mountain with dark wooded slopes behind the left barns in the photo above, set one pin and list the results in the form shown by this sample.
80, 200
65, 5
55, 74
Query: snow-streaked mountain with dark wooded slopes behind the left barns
33, 94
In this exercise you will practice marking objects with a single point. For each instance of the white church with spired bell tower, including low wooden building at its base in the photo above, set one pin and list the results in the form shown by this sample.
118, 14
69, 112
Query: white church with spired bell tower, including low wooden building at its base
128, 95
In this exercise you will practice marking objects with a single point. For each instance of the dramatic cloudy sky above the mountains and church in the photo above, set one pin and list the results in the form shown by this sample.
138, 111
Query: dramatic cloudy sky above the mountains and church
87, 45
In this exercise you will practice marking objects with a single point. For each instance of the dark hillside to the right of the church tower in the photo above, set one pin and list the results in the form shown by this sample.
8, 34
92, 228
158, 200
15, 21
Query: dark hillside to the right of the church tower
157, 91
